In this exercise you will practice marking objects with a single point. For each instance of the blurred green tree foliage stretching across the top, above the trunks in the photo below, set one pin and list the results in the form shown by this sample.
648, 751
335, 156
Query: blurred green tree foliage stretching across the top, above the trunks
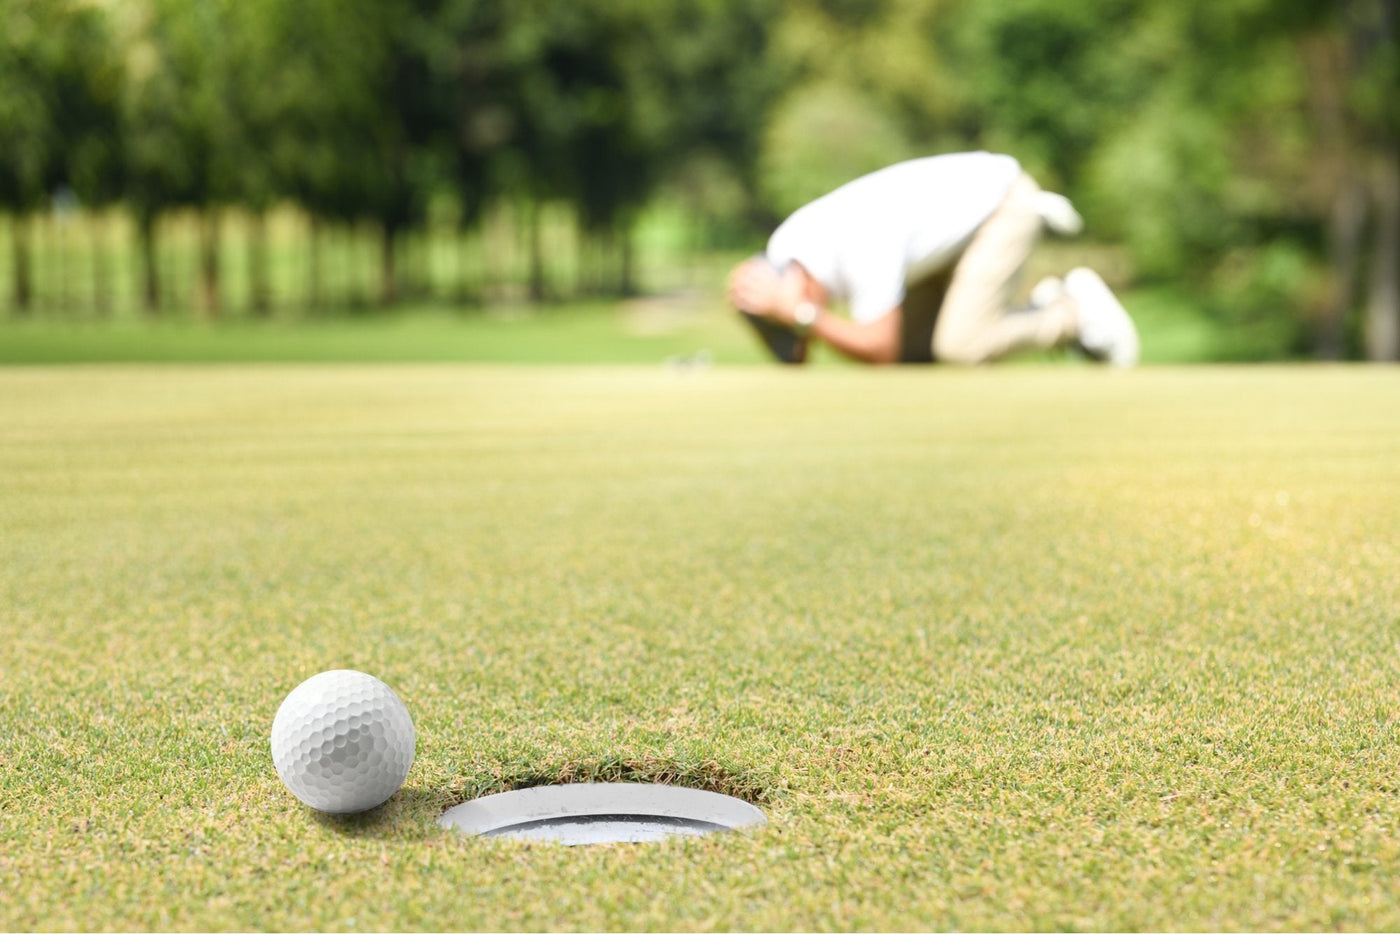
1193, 132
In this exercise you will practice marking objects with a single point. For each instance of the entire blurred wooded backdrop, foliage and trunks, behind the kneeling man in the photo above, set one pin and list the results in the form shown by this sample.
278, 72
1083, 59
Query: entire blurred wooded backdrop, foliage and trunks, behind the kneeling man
1238, 162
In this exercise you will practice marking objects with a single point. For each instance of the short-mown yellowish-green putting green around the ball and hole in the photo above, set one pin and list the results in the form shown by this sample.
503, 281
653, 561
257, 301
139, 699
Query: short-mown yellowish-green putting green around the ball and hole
1035, 648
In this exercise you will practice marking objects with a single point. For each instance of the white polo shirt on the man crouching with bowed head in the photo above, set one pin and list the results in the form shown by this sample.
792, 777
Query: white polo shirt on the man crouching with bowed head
871, 237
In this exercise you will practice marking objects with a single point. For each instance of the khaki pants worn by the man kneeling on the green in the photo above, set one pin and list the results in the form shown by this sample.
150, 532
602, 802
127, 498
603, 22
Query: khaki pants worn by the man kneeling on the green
964, 316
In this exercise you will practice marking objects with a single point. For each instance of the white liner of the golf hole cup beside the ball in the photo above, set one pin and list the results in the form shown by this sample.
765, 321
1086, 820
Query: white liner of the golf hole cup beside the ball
601, 813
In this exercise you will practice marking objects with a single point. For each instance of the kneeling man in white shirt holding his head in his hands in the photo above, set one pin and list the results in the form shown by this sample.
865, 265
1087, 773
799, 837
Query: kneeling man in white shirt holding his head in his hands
926, 256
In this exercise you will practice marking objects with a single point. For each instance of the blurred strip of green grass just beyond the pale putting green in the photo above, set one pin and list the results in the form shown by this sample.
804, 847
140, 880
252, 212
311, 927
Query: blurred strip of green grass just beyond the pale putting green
643, 331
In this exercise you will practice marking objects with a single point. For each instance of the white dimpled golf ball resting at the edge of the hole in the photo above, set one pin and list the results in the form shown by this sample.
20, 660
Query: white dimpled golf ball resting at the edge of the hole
342, 741
